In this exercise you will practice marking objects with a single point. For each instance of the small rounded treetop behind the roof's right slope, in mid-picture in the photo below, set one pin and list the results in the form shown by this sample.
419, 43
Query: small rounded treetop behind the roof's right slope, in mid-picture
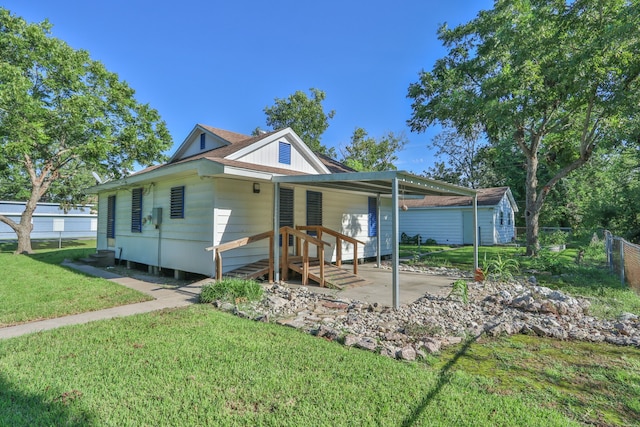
365, 153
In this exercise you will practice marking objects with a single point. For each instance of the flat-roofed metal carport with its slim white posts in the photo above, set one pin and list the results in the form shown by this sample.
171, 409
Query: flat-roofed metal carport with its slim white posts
378, 184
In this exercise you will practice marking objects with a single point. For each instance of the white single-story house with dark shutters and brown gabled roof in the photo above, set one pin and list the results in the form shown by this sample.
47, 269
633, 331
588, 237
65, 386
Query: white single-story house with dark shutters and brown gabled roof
224, 189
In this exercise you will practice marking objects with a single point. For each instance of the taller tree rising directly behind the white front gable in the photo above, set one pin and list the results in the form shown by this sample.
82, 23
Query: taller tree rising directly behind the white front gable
304, 115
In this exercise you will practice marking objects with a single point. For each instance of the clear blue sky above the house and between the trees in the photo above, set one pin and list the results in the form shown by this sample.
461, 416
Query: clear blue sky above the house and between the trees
222, 62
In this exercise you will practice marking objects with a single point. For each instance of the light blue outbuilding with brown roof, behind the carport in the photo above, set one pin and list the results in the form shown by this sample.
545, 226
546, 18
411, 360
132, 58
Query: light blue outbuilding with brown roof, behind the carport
449, 219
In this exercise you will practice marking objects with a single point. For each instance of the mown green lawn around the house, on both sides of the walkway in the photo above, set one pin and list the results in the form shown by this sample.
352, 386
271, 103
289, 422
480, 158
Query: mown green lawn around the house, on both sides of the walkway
199, 366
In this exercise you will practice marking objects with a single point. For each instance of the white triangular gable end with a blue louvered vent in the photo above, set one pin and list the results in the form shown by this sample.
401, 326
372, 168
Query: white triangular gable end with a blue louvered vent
282, 150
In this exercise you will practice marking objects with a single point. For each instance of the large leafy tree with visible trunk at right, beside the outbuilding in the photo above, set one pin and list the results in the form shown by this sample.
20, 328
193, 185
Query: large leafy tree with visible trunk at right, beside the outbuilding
553, 78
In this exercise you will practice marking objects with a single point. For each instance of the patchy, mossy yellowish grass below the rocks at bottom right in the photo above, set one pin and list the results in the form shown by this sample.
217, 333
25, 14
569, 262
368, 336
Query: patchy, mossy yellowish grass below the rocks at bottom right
596, 384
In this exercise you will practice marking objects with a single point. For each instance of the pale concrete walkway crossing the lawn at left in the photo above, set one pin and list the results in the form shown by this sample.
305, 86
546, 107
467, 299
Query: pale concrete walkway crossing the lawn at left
163, 298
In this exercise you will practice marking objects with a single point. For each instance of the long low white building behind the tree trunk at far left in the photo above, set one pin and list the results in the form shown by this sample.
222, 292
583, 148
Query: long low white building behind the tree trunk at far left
52, 222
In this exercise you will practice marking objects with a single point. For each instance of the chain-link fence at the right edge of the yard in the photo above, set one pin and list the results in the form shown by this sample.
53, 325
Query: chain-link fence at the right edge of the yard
623, 258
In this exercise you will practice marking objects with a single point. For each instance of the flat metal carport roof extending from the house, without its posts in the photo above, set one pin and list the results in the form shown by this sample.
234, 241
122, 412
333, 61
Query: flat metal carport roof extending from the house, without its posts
378, 183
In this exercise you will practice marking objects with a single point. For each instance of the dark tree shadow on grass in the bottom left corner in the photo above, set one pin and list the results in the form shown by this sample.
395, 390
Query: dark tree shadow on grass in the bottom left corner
18, 408
